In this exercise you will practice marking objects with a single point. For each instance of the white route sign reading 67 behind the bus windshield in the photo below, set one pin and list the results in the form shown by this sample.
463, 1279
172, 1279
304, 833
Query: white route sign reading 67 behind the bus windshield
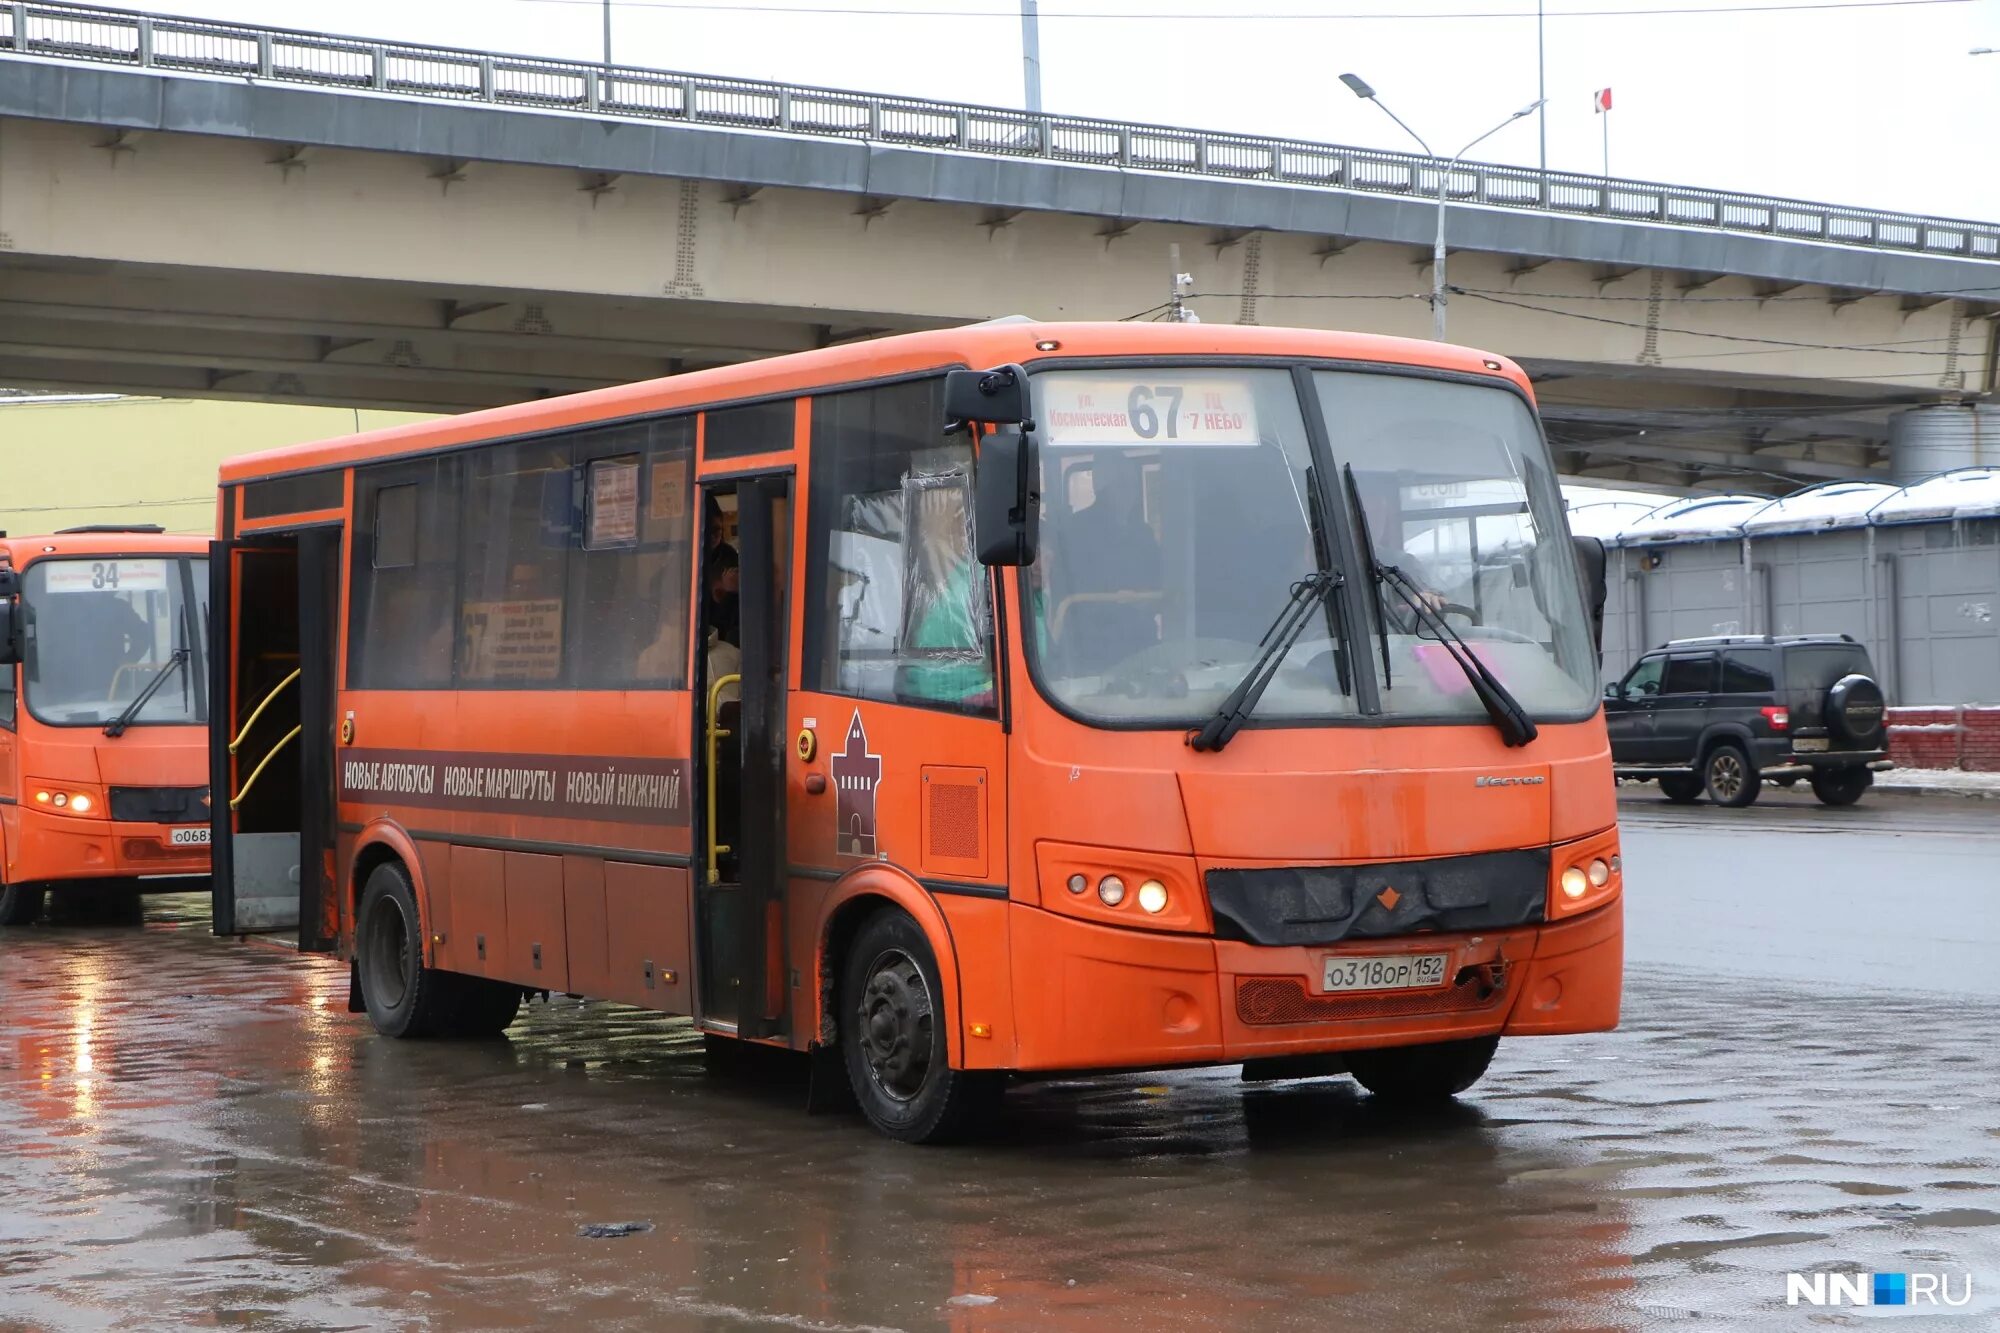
1147, 411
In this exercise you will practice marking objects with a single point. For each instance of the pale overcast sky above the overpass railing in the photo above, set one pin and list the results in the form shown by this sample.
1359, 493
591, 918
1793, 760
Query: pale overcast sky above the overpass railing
1873, 105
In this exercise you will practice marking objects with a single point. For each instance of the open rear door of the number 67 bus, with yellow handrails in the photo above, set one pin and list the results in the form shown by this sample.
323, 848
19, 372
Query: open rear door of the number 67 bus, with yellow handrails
277, 605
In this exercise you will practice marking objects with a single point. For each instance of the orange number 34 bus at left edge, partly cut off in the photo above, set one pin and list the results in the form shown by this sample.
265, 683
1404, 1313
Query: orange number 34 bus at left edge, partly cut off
103, 716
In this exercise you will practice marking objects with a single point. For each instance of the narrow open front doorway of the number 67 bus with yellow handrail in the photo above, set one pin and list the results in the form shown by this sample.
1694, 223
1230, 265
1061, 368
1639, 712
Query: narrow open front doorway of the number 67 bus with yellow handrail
741, 876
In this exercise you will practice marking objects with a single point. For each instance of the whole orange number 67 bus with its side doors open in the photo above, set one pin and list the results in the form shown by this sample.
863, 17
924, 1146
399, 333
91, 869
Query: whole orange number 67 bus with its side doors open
959, 706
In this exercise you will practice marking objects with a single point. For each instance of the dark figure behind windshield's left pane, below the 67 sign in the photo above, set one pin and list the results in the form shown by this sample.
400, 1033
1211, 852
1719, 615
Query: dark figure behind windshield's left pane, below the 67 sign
1109, 551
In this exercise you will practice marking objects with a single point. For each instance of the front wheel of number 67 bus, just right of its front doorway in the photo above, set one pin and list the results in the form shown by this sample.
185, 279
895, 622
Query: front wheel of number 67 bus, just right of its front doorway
893, 1036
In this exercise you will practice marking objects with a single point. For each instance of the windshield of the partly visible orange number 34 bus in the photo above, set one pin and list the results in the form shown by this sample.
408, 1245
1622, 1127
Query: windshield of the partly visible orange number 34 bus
101, 629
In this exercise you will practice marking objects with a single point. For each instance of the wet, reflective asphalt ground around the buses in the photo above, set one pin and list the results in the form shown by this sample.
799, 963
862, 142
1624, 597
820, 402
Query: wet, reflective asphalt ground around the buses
197, 1134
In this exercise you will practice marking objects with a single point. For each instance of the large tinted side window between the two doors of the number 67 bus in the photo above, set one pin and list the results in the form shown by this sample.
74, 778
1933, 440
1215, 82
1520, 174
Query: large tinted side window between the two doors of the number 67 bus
561, 563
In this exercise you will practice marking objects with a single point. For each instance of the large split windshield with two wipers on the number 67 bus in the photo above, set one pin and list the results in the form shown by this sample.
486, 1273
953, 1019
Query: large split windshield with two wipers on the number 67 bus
1181, 509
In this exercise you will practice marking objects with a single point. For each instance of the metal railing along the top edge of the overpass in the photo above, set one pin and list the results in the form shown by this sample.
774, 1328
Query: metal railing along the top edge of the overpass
323, 61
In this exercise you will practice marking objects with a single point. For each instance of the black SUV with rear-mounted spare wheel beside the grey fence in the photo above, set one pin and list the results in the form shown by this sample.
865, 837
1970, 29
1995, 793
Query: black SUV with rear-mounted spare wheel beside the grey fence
1727, 716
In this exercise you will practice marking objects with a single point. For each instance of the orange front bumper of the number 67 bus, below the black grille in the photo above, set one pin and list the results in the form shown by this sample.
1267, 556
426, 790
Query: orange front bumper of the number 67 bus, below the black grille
1101, 998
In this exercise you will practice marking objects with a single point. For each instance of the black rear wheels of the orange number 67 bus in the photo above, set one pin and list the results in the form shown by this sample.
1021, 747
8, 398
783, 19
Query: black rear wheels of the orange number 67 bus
403, 996
